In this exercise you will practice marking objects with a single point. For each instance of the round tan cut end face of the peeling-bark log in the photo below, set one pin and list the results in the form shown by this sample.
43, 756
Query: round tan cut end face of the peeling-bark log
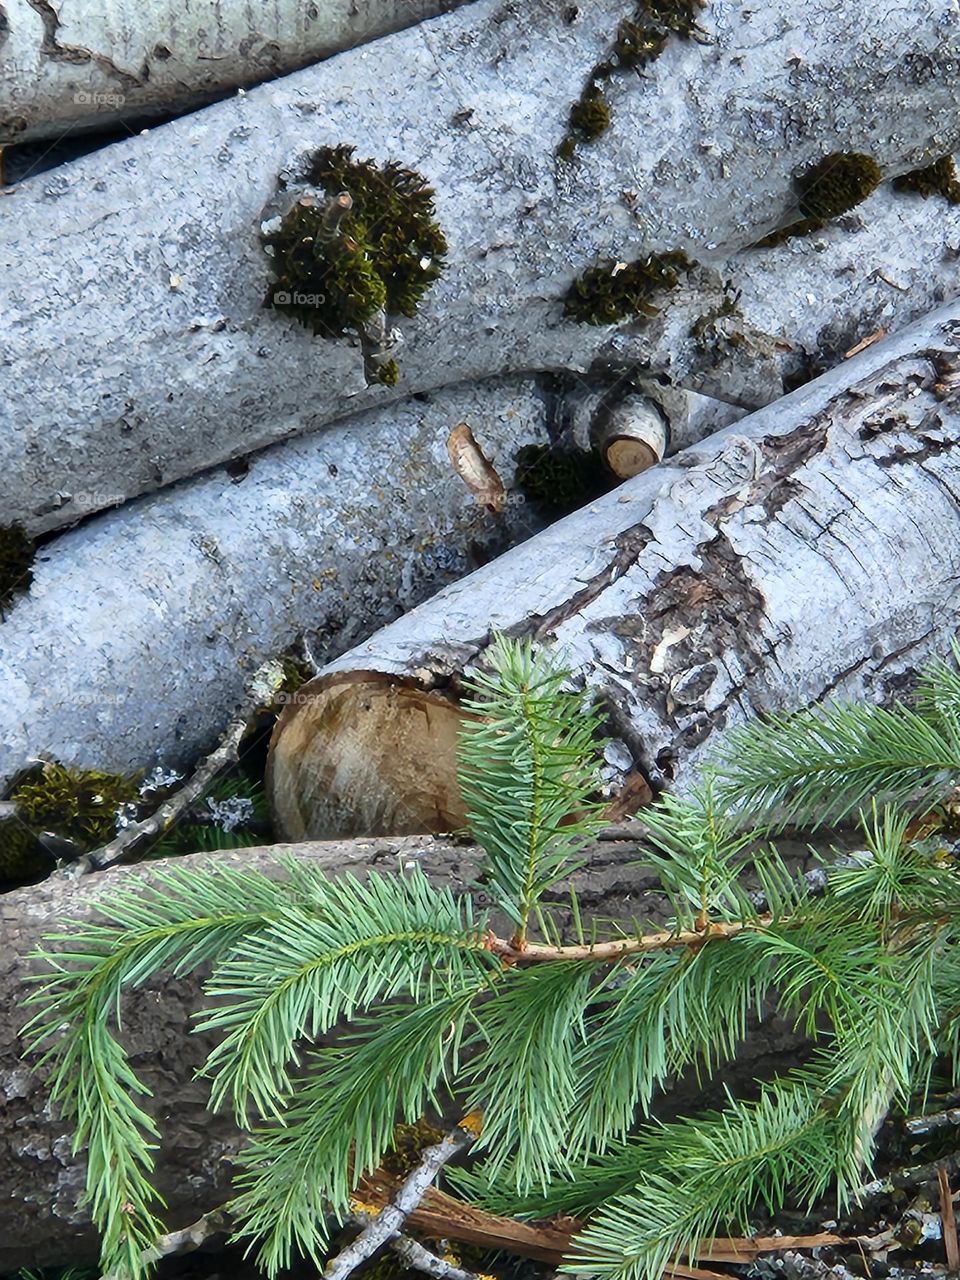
365, 755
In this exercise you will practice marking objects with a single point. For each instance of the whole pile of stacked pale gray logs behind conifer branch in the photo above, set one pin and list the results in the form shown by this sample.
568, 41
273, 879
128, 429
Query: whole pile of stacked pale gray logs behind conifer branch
212, 483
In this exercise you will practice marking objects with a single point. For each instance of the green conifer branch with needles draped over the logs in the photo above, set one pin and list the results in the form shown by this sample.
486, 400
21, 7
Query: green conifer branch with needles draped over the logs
566, 1044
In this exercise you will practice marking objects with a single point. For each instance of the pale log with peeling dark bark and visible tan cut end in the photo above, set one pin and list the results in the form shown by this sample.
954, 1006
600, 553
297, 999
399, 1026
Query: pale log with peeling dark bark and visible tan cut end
811, 551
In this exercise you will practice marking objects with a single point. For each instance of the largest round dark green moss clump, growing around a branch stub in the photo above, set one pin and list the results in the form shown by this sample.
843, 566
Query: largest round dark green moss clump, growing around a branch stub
339, 263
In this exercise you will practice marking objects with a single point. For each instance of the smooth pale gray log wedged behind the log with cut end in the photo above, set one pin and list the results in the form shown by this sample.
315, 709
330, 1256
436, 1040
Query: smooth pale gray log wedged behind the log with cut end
141, 627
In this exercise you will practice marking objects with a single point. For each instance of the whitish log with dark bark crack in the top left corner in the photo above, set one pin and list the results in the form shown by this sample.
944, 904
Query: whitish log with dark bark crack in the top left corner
83, 66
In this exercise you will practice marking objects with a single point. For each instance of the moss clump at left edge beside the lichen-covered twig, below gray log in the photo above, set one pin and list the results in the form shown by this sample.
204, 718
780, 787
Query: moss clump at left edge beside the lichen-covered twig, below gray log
79, 804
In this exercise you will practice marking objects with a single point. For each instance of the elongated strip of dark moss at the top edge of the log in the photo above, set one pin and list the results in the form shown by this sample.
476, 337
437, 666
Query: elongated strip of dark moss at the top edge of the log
639, 42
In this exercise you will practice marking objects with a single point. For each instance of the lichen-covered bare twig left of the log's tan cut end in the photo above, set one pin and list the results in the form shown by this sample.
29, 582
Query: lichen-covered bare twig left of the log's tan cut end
260, 689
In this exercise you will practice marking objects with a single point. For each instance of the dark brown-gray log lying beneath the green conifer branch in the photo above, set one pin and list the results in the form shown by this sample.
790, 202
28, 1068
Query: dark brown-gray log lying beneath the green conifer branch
40, 1181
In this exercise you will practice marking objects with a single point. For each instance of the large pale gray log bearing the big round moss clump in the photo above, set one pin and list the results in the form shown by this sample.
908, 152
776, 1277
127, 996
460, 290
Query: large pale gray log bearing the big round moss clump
134, 278
